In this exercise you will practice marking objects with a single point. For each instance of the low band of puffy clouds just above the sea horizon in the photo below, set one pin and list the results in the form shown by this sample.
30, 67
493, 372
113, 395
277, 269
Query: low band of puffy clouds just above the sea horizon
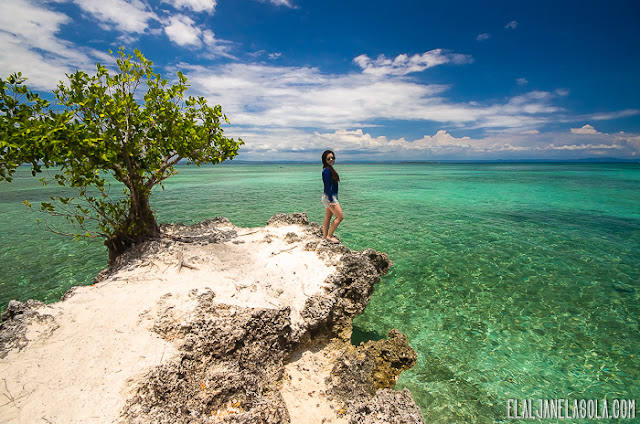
358, 144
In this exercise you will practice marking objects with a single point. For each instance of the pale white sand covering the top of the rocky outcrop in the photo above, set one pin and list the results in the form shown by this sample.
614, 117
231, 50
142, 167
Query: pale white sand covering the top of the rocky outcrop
83, 369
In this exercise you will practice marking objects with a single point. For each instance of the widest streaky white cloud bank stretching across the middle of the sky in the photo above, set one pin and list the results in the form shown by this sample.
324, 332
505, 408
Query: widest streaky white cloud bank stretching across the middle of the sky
274, 96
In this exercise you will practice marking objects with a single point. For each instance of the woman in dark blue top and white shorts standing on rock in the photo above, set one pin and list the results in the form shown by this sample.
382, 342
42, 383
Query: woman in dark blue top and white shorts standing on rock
330, 178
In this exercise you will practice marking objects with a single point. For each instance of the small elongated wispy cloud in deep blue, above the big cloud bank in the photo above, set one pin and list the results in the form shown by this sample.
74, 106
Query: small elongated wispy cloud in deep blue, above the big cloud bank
403, 64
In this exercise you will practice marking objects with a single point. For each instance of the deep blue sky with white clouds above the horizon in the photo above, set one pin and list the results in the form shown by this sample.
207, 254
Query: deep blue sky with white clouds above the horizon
374, 80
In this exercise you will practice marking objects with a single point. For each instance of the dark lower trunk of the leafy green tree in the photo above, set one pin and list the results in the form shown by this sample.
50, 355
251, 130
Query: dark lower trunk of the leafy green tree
139, 226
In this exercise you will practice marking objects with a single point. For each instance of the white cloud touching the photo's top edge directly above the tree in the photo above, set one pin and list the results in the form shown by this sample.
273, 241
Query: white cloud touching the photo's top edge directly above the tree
127, 16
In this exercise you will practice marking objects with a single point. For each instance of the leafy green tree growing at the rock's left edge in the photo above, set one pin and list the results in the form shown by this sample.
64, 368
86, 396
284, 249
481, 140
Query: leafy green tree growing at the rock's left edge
101, 130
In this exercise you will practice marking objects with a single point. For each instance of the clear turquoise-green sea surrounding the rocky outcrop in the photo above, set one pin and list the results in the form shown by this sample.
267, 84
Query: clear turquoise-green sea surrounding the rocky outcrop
512, 281
